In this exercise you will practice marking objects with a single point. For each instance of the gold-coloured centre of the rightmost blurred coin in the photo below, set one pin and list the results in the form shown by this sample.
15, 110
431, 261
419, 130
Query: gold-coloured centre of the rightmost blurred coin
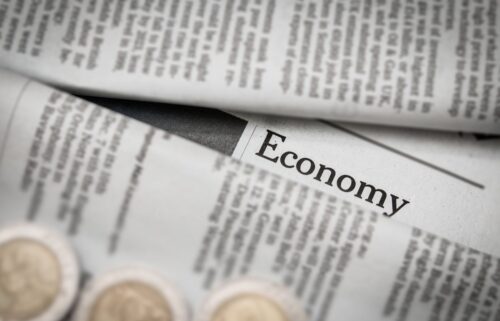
249, 307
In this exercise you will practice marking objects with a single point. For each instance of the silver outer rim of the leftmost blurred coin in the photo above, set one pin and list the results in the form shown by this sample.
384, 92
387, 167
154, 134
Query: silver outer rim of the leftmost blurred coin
68, 261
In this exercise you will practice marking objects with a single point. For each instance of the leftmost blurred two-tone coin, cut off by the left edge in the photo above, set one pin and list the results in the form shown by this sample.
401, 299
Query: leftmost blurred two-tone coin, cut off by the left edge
39, 274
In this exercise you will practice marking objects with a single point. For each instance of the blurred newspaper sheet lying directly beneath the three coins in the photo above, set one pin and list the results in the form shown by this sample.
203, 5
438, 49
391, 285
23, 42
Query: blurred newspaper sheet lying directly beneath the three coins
127, 192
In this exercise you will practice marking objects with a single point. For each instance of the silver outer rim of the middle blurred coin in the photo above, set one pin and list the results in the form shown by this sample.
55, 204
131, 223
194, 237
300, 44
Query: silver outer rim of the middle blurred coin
93, 289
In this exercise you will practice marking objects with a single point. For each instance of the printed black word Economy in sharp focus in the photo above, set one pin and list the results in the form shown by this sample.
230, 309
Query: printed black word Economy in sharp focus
325, 174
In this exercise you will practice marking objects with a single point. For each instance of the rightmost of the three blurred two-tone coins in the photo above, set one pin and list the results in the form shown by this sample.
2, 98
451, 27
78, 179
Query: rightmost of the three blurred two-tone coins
251, 299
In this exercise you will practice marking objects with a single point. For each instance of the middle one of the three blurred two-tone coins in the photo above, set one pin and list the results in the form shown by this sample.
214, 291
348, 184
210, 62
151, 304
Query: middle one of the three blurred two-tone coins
131, 294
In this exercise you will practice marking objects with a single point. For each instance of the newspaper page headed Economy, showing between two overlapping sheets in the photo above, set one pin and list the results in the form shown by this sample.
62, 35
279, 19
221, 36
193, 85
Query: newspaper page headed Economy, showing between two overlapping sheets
445, 183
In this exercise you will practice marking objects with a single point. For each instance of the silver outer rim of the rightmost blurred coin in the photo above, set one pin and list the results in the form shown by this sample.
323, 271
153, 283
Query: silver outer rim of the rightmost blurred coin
289, 305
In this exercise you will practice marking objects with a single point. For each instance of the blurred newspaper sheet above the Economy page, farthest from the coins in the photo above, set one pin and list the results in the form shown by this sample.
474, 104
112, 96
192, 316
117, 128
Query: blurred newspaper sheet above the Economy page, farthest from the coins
432, 64
